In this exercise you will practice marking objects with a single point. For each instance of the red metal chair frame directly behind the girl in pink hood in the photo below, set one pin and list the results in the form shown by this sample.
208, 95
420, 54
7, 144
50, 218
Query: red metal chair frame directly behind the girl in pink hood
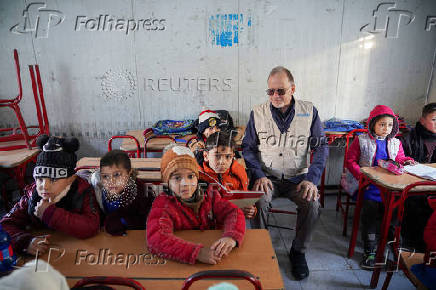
339, 203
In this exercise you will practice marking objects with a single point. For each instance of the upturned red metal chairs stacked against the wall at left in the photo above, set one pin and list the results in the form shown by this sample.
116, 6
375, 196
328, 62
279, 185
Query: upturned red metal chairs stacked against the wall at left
43, 125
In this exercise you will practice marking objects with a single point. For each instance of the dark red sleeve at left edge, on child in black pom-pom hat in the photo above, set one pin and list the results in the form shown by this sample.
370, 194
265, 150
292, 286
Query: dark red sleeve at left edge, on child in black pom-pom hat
15, 222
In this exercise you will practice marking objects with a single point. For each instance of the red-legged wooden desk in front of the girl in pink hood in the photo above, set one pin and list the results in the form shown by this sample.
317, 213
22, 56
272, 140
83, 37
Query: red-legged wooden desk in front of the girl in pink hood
390, 186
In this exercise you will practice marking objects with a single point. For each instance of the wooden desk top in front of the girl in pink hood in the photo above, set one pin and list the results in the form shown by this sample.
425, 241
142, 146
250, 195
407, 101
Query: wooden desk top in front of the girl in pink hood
394, 182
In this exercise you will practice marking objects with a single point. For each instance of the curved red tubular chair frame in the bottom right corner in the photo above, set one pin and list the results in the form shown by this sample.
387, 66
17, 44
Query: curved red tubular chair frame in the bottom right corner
400, 214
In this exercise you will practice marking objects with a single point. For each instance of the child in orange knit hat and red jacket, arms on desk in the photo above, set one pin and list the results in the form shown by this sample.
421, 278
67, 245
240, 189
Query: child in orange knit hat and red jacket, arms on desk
185, 206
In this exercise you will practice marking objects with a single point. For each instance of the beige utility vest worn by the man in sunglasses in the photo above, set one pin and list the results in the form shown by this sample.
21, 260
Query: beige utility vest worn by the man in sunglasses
284, 155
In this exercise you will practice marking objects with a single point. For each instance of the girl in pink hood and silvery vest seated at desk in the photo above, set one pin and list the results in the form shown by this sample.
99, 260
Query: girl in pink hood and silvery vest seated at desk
365, 151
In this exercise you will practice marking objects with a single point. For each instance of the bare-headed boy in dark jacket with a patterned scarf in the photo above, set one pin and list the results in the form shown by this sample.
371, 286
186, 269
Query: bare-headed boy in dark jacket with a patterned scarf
124, 200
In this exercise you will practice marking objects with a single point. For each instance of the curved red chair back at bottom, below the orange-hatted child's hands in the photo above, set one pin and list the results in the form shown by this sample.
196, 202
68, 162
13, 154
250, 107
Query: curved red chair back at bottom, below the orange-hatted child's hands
223, 274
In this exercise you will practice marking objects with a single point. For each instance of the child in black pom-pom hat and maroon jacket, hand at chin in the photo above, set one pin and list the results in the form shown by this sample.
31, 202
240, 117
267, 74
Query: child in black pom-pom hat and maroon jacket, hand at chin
59, 199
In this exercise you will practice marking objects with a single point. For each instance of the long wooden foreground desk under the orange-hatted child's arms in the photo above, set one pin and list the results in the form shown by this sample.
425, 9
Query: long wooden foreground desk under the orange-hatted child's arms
91, 257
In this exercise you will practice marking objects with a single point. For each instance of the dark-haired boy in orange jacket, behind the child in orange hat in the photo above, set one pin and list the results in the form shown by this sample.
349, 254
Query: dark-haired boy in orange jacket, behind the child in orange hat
220, 166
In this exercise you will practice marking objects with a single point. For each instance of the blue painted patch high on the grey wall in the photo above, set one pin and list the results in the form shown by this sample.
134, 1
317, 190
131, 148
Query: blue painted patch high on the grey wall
225, 29
